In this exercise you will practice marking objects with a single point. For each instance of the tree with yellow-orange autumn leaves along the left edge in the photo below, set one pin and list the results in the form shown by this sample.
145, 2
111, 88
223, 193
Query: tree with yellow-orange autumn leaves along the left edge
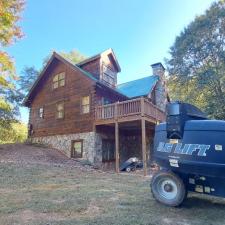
9, 33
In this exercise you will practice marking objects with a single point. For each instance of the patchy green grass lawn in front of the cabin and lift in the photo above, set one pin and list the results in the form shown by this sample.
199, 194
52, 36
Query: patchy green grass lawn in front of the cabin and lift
37, 194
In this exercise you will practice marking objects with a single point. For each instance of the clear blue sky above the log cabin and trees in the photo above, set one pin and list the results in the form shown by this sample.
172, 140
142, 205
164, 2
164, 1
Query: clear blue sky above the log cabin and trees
140, 31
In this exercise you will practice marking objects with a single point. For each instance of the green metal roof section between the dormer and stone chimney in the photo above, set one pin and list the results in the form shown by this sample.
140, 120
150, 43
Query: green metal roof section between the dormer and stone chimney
136, 88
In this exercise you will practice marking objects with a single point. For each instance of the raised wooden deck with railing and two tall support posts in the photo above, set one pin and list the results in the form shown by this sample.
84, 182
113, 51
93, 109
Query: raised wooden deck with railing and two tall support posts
125, 111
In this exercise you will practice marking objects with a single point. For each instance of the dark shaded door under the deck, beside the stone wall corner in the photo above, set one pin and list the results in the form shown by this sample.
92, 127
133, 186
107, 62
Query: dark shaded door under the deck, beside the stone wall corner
108, 150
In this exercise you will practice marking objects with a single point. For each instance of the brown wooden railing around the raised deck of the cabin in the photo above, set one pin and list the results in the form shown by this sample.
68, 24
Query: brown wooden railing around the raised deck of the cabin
138, 106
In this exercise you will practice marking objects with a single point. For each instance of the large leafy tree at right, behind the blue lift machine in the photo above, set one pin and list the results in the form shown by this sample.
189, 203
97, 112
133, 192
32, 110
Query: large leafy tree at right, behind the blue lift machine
197, 62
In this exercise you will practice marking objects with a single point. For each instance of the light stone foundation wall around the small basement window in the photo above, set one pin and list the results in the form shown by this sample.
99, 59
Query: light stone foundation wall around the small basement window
91, 144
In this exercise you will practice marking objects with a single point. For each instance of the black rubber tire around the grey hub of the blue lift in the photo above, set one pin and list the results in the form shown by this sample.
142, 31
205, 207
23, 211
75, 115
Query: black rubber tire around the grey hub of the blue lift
181, 189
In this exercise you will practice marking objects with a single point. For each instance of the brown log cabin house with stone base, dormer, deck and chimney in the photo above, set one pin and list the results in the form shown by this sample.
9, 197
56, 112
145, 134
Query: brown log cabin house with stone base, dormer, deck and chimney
80, 109
